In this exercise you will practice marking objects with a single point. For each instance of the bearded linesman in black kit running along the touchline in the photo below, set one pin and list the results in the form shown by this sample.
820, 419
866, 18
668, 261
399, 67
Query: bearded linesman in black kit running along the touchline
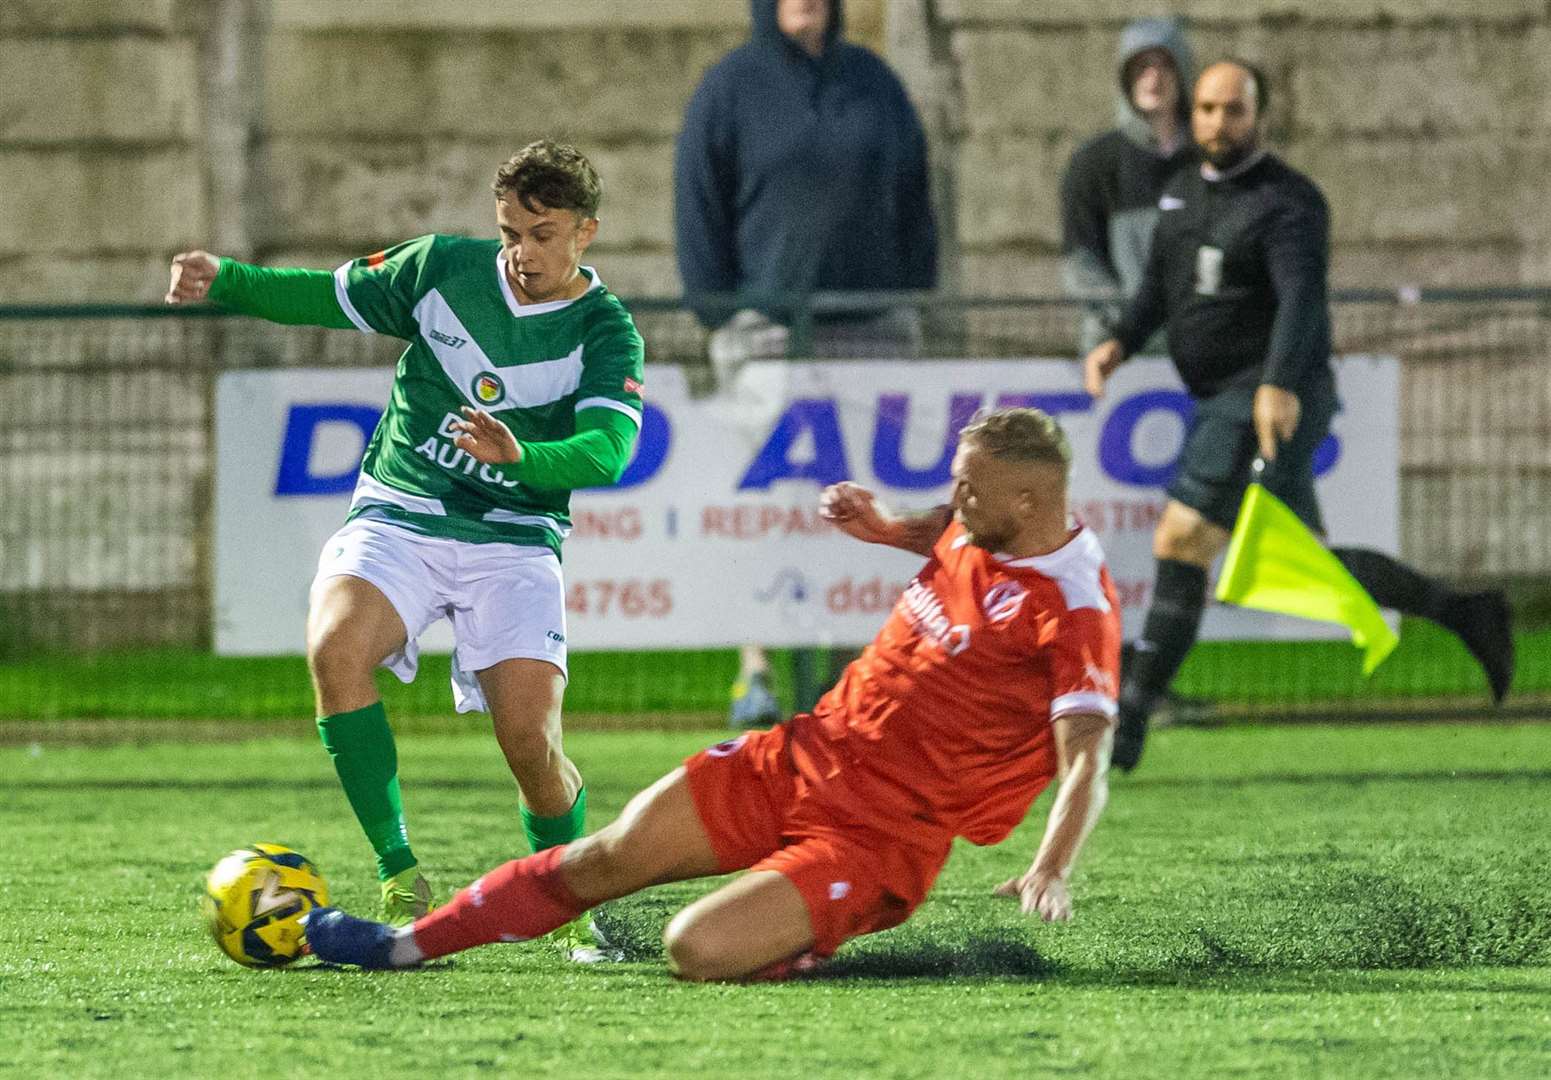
1238, 275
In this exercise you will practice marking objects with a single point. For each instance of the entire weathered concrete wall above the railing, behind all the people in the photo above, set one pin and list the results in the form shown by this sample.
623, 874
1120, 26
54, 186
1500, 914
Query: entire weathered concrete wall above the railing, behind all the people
306, 131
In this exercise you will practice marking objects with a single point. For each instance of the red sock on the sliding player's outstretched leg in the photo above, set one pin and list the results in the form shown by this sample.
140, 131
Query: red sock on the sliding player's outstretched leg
516, 902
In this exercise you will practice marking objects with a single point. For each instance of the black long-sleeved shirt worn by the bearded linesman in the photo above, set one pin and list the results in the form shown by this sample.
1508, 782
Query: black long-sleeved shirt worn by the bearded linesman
1238, 274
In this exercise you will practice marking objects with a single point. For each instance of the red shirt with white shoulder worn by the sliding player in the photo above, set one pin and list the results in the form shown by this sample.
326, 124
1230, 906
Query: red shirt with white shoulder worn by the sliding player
945, 718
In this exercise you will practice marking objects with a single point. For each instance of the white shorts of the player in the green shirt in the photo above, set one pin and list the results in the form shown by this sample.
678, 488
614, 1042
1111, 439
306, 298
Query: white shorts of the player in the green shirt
505, 601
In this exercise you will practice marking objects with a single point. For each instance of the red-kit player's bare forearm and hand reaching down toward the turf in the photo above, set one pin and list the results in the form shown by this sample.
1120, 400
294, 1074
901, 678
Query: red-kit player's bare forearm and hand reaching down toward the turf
1083, 746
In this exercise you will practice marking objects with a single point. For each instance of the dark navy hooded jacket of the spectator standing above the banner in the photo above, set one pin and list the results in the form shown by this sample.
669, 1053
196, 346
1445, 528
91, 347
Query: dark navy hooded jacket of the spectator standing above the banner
795, 175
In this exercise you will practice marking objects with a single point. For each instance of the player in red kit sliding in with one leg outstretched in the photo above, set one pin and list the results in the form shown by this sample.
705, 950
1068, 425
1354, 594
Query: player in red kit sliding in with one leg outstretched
995, 674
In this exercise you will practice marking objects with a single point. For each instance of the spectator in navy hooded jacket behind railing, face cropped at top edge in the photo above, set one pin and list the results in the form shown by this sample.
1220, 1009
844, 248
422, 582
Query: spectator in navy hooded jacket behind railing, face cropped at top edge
801, 168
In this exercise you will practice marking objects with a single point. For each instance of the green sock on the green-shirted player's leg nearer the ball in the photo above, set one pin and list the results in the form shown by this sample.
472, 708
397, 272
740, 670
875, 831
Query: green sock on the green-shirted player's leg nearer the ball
367, 760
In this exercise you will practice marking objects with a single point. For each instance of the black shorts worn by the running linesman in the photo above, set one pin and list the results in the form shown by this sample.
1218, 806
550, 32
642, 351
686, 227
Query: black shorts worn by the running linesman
1221, 449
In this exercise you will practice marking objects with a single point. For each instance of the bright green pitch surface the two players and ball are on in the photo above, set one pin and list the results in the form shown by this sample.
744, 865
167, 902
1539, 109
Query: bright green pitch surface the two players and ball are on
1280, 902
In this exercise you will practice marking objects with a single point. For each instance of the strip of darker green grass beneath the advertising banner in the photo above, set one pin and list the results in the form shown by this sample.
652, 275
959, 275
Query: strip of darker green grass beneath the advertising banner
1429, 671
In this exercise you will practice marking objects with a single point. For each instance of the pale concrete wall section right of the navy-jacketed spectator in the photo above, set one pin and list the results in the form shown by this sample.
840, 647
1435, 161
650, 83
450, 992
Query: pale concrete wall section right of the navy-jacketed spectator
1428, 123
